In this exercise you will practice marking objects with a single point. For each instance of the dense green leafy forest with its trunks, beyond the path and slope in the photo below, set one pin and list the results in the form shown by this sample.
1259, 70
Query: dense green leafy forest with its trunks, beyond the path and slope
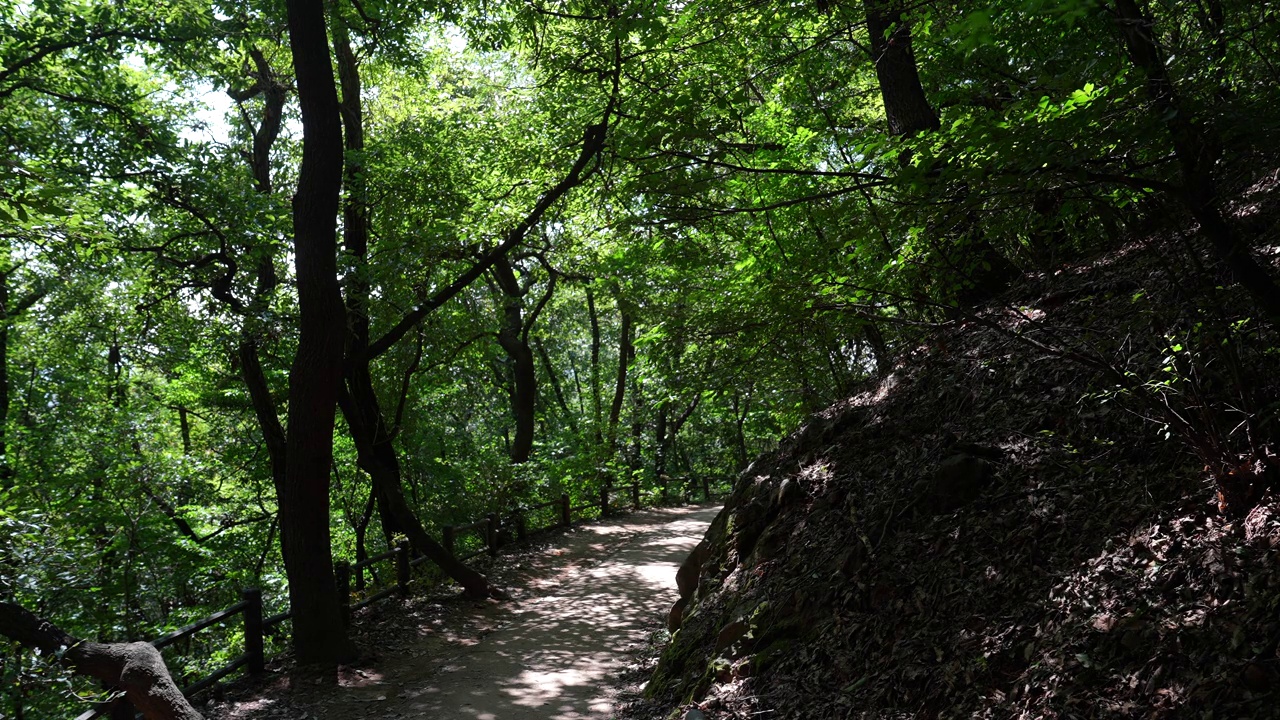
577, 244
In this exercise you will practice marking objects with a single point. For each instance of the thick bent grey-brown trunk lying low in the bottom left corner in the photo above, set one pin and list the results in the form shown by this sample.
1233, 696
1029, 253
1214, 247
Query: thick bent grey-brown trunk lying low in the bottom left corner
136, 668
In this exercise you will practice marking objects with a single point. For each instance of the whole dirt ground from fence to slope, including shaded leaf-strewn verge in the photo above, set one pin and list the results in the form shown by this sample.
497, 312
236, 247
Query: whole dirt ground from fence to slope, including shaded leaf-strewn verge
584, 607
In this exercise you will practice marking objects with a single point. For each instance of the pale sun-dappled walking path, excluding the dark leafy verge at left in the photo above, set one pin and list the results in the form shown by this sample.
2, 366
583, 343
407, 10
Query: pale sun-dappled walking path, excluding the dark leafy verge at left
551, 653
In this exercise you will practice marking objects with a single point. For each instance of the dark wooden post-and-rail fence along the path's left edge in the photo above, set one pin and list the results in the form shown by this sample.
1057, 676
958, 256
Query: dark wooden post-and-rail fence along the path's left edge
257, 627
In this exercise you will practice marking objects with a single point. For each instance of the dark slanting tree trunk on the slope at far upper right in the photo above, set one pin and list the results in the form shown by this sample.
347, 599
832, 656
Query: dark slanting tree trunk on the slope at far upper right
1196, 154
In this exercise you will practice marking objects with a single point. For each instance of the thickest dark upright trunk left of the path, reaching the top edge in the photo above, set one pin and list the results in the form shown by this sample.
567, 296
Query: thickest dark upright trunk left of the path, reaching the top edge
319, 627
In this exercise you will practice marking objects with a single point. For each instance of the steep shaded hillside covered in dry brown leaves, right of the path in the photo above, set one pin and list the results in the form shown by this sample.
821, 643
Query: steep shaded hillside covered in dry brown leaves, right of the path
1011, 526
